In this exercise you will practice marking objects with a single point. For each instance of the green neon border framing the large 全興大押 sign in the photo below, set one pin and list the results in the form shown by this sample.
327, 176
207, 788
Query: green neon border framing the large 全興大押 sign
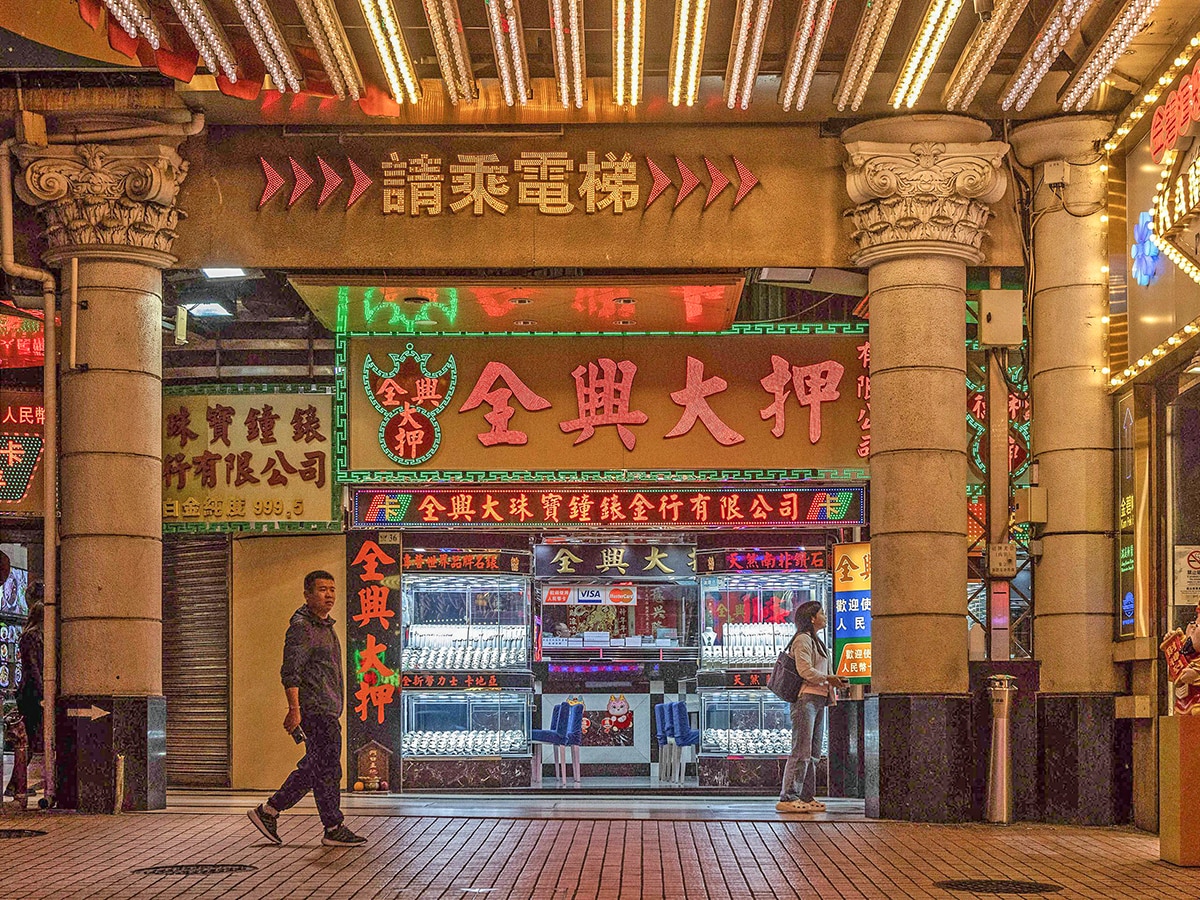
375, 477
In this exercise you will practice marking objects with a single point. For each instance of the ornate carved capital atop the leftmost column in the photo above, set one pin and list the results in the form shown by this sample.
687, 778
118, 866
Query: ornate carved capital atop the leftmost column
104, 195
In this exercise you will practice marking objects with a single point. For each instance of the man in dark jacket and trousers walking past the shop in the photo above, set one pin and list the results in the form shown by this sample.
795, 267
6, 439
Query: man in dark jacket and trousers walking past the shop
313, 682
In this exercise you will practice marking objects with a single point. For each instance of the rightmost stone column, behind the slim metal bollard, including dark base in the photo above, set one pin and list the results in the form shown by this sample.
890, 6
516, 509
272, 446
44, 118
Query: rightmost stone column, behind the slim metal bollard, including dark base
1073, 626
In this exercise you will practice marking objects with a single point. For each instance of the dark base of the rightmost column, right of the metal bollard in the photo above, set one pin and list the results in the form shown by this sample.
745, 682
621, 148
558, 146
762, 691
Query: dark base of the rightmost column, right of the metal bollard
1085, 771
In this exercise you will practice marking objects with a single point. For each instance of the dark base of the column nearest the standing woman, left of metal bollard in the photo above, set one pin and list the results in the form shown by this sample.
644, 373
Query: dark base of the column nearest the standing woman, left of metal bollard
920, 757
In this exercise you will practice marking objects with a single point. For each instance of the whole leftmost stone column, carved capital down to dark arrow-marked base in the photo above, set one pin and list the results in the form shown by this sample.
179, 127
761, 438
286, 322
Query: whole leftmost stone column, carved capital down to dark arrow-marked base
112, 208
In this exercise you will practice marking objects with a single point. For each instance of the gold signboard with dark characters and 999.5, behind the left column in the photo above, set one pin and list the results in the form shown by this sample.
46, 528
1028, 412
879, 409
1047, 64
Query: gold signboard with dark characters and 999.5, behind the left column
238, 461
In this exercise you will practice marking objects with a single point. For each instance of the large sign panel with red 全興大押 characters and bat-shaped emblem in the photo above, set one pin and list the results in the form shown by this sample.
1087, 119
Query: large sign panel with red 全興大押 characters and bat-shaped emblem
776, 401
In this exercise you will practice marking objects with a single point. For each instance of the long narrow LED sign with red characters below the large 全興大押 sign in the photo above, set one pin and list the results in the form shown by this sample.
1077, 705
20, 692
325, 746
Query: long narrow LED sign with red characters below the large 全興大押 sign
529, 507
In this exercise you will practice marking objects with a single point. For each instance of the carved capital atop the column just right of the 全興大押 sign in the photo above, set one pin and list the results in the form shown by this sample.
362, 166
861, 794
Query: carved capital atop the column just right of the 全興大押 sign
923, 197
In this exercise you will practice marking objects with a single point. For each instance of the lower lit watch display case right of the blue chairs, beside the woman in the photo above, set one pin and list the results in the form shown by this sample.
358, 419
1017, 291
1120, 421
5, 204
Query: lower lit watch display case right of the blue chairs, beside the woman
745, 724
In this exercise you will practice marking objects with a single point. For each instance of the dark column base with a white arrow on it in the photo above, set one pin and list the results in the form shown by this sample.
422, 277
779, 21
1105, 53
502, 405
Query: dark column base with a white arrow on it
94, 730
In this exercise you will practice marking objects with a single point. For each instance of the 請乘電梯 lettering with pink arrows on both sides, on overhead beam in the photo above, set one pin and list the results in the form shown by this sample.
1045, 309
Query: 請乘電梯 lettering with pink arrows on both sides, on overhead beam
549, 183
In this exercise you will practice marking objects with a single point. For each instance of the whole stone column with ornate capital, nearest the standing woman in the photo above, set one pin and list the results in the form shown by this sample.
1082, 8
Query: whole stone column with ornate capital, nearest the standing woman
921, 187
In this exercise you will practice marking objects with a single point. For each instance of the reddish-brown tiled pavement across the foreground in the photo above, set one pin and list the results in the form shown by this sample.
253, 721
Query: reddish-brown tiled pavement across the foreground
574, 848
